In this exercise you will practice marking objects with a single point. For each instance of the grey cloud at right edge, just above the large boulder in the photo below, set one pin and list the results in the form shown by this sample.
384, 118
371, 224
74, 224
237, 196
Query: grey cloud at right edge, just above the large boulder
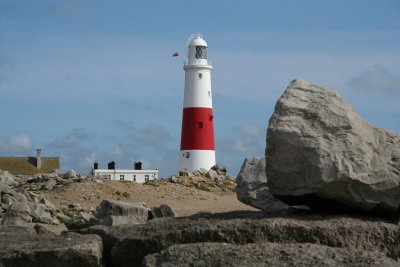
377, 79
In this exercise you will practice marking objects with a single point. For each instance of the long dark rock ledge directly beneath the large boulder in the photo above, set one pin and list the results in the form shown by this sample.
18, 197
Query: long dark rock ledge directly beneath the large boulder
156, 235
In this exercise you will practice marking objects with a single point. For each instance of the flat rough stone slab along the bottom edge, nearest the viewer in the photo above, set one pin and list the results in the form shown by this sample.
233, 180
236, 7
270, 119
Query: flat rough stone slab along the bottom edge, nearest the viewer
264, 254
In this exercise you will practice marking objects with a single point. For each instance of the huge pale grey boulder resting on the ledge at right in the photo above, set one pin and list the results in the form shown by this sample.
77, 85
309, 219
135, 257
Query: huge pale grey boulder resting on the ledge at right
322, 154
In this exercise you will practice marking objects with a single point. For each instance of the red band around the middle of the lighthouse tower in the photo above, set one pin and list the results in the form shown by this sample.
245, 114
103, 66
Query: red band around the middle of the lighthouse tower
197, 129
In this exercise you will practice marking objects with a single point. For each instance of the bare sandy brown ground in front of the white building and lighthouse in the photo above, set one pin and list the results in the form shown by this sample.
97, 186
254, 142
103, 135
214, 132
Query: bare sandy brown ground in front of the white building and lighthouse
184, 200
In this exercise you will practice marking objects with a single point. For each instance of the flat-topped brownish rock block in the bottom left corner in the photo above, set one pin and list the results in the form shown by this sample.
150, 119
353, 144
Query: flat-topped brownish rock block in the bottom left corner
23, 246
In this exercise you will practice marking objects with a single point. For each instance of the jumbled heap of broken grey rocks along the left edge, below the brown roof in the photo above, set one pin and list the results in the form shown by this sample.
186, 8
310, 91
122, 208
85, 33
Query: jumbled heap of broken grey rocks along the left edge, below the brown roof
20, 206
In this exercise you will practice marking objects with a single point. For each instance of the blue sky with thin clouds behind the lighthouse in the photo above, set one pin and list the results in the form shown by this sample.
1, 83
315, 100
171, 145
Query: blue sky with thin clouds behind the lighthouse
89, 80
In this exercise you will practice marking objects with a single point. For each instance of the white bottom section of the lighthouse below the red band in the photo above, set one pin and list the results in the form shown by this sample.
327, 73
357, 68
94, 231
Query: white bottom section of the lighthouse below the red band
197, 159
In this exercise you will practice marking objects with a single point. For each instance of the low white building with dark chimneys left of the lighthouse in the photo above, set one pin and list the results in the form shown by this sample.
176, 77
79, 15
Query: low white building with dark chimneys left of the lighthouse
136, 175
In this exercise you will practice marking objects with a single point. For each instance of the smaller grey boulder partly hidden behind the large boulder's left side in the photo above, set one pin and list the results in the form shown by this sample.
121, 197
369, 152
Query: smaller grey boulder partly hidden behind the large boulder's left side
252, 188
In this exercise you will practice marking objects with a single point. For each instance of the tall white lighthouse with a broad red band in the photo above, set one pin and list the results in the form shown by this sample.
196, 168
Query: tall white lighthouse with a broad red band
197, 137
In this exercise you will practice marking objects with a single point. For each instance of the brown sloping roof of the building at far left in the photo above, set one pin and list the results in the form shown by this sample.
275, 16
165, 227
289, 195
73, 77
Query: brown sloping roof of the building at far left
27, 165
